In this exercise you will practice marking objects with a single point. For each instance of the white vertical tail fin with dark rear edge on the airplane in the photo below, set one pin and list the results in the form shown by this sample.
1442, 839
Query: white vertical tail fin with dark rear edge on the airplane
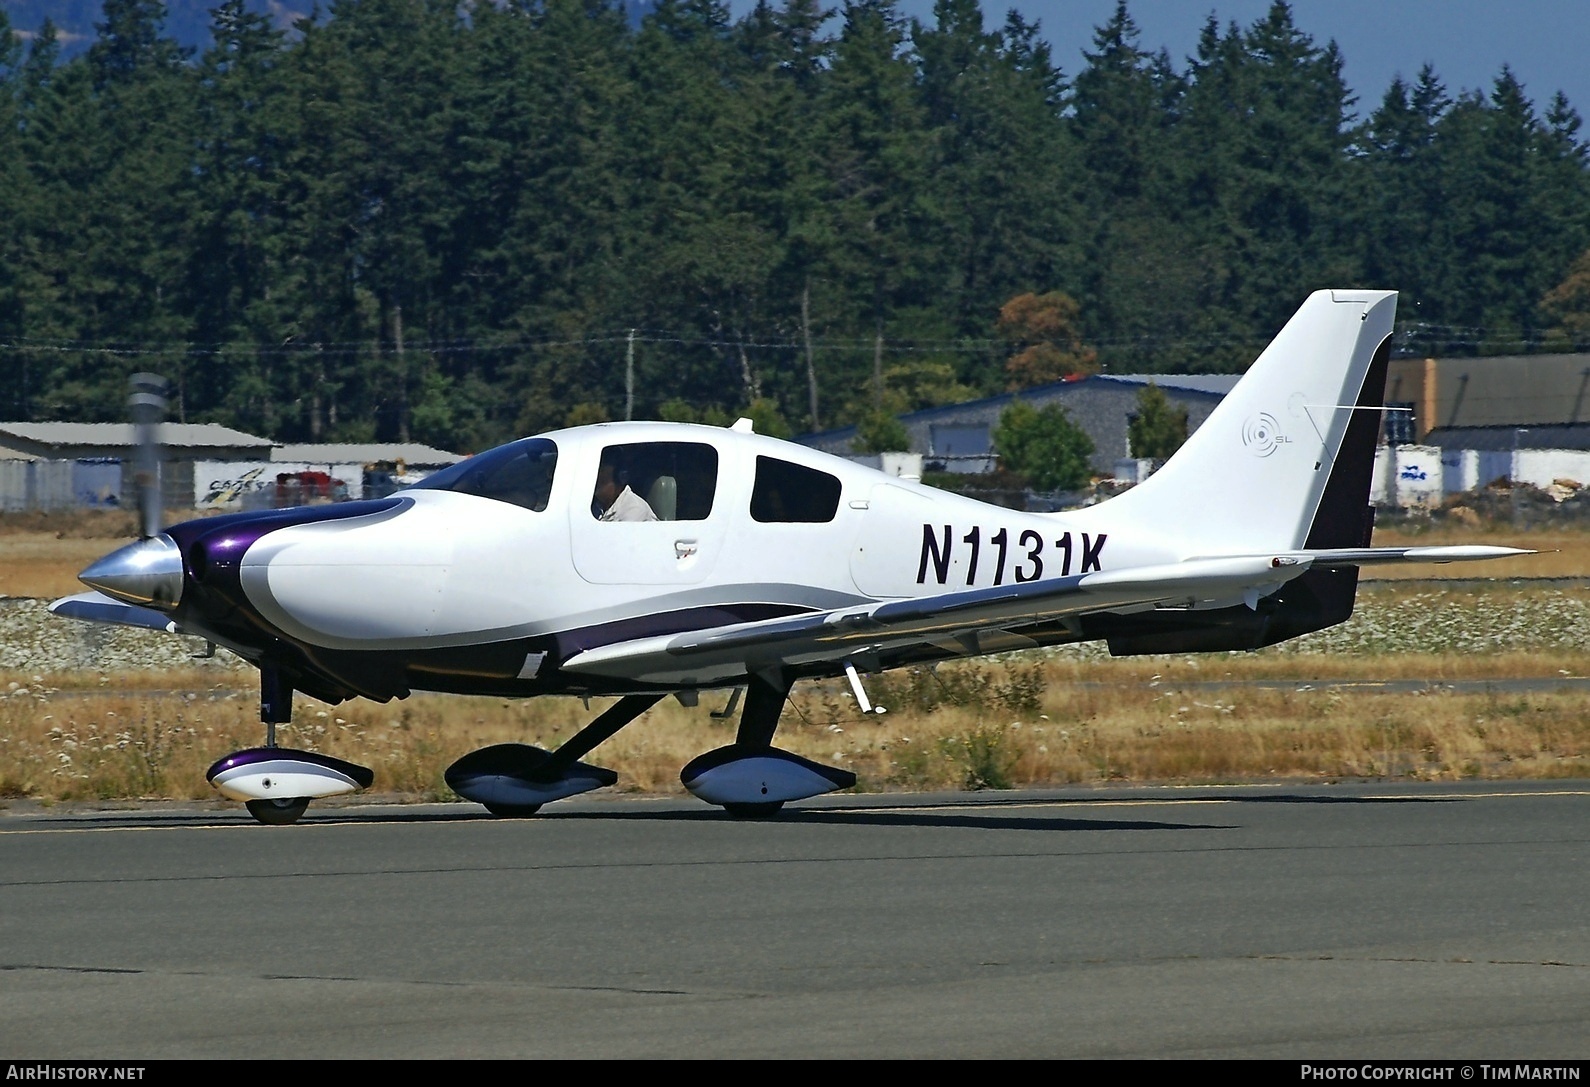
1286, 460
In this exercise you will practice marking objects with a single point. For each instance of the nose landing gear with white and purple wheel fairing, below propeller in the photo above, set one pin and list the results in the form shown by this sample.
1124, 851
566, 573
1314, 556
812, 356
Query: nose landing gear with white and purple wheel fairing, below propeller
279, 783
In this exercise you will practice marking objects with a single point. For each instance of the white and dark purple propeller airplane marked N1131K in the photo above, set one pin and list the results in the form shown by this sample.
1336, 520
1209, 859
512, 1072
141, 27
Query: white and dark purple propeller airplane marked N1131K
764, 563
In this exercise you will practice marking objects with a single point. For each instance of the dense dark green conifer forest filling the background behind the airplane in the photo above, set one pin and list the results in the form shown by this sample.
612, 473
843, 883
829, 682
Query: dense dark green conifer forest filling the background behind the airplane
462, 223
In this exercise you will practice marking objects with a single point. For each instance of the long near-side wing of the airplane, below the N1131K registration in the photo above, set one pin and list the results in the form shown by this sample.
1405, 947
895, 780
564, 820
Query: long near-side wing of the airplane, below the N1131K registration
956, 621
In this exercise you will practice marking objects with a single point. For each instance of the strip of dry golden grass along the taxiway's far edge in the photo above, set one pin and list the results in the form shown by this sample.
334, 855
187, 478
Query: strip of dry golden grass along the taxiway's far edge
977, 725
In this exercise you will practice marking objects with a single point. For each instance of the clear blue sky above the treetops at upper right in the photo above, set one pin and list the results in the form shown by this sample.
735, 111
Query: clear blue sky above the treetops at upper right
1546, 42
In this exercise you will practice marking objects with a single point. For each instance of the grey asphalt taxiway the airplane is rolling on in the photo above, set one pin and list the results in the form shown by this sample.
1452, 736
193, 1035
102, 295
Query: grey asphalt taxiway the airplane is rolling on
1327, 921
